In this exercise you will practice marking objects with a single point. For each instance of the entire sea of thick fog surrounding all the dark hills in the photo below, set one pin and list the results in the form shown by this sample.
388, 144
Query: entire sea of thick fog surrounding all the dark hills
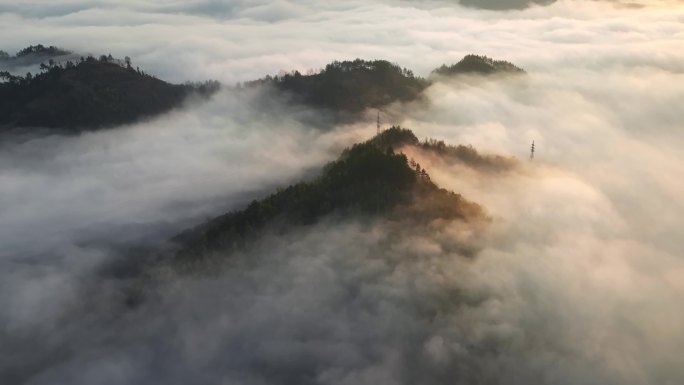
577, 279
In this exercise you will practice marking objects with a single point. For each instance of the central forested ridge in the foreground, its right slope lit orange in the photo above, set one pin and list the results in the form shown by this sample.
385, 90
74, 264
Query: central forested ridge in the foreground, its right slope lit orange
368, 179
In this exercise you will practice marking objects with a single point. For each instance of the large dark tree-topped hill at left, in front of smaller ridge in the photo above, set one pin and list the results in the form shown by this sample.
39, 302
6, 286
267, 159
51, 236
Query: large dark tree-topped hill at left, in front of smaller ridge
87, 94
